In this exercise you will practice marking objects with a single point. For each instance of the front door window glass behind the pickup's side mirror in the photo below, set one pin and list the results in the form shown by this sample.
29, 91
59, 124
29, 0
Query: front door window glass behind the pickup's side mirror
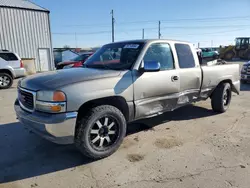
160, 52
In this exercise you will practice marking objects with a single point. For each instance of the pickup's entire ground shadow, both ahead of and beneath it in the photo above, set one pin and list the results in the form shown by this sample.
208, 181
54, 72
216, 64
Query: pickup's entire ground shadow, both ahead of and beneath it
25, 155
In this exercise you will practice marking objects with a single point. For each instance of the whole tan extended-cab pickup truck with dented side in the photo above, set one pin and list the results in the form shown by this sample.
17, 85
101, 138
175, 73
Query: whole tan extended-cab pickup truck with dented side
91, 106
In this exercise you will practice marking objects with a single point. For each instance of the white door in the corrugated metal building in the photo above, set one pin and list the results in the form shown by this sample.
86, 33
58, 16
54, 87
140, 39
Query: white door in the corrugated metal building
44, 59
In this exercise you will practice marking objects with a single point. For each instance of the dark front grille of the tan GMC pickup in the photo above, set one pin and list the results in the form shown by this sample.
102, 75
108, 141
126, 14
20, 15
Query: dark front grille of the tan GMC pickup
26, 98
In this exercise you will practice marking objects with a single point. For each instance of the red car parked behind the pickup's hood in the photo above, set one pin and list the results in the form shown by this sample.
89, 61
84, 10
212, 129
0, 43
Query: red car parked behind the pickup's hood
76, 62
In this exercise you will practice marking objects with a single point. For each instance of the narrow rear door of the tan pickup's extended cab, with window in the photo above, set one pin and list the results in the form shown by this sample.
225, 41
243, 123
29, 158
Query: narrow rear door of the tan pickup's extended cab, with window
189, 72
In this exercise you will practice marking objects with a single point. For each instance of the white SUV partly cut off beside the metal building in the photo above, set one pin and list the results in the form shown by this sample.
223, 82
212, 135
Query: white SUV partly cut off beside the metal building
11, 67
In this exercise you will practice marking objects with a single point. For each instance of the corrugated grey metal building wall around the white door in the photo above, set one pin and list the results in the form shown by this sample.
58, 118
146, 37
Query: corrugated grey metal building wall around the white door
24, 32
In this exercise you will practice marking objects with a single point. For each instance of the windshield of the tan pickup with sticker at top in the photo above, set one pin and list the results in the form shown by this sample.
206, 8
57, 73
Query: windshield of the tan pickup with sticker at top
116, 56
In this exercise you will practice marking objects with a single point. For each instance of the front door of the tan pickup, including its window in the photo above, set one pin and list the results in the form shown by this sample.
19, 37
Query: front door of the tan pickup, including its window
156, 92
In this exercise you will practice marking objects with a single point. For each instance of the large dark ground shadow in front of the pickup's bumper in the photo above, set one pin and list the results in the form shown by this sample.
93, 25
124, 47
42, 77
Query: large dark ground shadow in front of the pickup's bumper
25, 155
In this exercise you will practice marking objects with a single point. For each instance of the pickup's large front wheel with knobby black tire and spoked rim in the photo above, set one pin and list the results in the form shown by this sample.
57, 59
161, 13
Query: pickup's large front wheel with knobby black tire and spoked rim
84, 140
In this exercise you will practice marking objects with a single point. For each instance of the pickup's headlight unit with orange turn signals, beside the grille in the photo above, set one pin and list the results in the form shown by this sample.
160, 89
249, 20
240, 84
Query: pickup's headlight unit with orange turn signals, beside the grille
51, 101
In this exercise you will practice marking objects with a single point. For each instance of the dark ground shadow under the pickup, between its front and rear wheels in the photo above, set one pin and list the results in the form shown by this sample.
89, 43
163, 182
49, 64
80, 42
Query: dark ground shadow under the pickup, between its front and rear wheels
181, 114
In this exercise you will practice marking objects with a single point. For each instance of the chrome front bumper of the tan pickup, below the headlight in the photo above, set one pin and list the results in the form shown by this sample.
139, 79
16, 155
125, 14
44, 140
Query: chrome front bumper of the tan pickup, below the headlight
57, 128
